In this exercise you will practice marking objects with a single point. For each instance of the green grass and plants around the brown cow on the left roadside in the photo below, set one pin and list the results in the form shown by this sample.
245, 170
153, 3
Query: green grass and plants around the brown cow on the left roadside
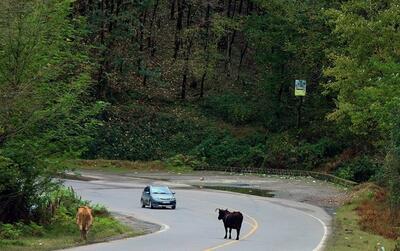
58, 229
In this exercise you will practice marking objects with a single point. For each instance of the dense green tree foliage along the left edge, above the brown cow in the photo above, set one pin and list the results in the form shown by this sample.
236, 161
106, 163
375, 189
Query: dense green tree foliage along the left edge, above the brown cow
44, 115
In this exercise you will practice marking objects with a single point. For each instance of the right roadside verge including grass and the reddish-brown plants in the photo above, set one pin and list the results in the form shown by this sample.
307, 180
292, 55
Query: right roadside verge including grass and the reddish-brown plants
365, 222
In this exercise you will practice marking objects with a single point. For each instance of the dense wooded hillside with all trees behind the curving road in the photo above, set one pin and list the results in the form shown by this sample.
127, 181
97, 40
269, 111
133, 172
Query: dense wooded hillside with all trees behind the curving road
206, 83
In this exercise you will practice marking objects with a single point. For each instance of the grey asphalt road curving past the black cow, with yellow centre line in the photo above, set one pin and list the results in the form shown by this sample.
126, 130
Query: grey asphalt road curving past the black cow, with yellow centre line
269, 223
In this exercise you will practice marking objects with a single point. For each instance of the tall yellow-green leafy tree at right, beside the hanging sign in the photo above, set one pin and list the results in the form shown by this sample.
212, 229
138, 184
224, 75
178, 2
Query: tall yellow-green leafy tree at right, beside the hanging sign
365, 78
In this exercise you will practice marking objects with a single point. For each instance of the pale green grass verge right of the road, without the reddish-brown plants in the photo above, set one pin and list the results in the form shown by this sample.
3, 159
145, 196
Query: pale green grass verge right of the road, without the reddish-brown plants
349, 230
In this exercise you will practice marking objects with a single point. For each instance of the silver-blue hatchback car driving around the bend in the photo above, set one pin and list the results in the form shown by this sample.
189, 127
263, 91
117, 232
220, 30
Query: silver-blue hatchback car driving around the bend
158, 196
